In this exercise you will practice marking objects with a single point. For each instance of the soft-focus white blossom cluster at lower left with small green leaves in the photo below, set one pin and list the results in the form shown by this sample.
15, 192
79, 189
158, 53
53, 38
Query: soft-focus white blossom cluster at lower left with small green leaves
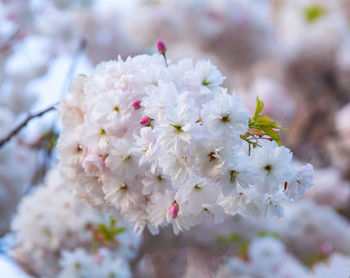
51, 221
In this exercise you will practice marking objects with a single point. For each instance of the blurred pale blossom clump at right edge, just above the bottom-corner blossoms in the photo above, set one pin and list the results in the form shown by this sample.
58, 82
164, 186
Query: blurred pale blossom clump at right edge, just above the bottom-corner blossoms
307, 237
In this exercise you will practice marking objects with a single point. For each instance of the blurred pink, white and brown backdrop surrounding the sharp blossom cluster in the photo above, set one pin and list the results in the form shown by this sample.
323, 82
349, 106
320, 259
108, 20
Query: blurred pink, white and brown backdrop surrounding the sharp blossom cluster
293, 54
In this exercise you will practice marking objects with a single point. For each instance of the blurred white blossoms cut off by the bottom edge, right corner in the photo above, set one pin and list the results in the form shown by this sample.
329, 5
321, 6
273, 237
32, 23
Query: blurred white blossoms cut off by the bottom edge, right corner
268, 257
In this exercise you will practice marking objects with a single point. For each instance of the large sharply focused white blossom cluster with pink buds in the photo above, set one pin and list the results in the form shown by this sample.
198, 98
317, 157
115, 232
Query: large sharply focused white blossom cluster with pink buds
162, 146
